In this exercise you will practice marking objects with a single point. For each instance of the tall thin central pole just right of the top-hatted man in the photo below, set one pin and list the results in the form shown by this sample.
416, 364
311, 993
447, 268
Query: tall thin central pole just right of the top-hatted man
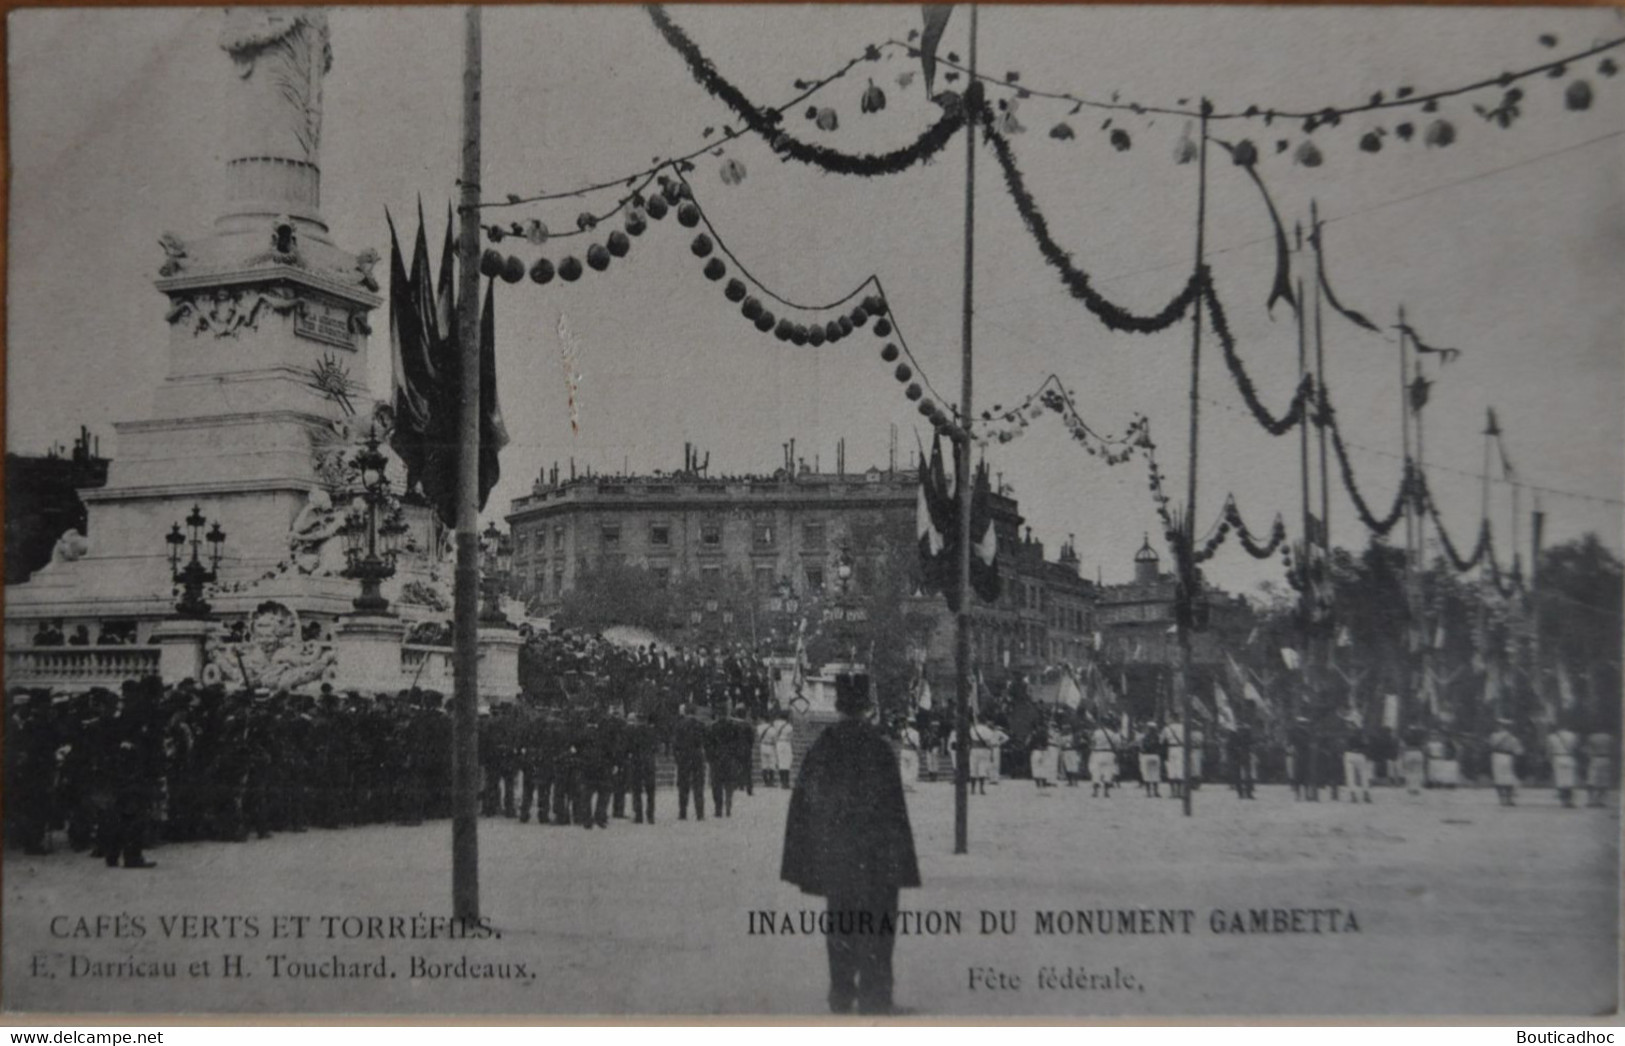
963, 477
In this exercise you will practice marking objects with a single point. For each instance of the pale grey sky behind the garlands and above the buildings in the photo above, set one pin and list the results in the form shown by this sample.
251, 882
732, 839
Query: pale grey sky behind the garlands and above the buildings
1510, 244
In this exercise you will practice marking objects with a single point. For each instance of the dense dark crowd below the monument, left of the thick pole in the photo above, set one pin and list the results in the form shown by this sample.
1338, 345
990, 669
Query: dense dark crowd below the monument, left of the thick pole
123, 771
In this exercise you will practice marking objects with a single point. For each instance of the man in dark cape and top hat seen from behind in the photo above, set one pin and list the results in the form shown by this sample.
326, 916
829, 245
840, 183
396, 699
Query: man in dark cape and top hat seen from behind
847, 839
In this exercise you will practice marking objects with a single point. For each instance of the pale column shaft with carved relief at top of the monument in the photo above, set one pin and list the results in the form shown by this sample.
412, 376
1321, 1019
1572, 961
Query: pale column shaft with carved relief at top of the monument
282, 56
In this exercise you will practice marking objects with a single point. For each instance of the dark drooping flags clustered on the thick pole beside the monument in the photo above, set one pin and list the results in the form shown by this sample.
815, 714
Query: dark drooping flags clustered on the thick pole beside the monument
428, 376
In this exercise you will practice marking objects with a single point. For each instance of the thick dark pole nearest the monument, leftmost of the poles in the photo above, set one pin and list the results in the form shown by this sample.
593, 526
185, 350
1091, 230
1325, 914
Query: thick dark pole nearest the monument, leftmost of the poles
466, 659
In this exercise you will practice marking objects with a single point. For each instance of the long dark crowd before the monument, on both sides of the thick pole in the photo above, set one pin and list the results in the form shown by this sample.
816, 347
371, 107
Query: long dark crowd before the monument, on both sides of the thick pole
118, 772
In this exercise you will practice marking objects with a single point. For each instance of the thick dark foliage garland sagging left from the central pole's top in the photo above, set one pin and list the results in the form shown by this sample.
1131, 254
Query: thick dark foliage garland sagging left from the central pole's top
769, 123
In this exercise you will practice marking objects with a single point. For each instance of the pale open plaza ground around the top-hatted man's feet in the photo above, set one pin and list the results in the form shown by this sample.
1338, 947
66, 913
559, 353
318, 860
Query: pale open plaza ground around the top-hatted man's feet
1462, 907
